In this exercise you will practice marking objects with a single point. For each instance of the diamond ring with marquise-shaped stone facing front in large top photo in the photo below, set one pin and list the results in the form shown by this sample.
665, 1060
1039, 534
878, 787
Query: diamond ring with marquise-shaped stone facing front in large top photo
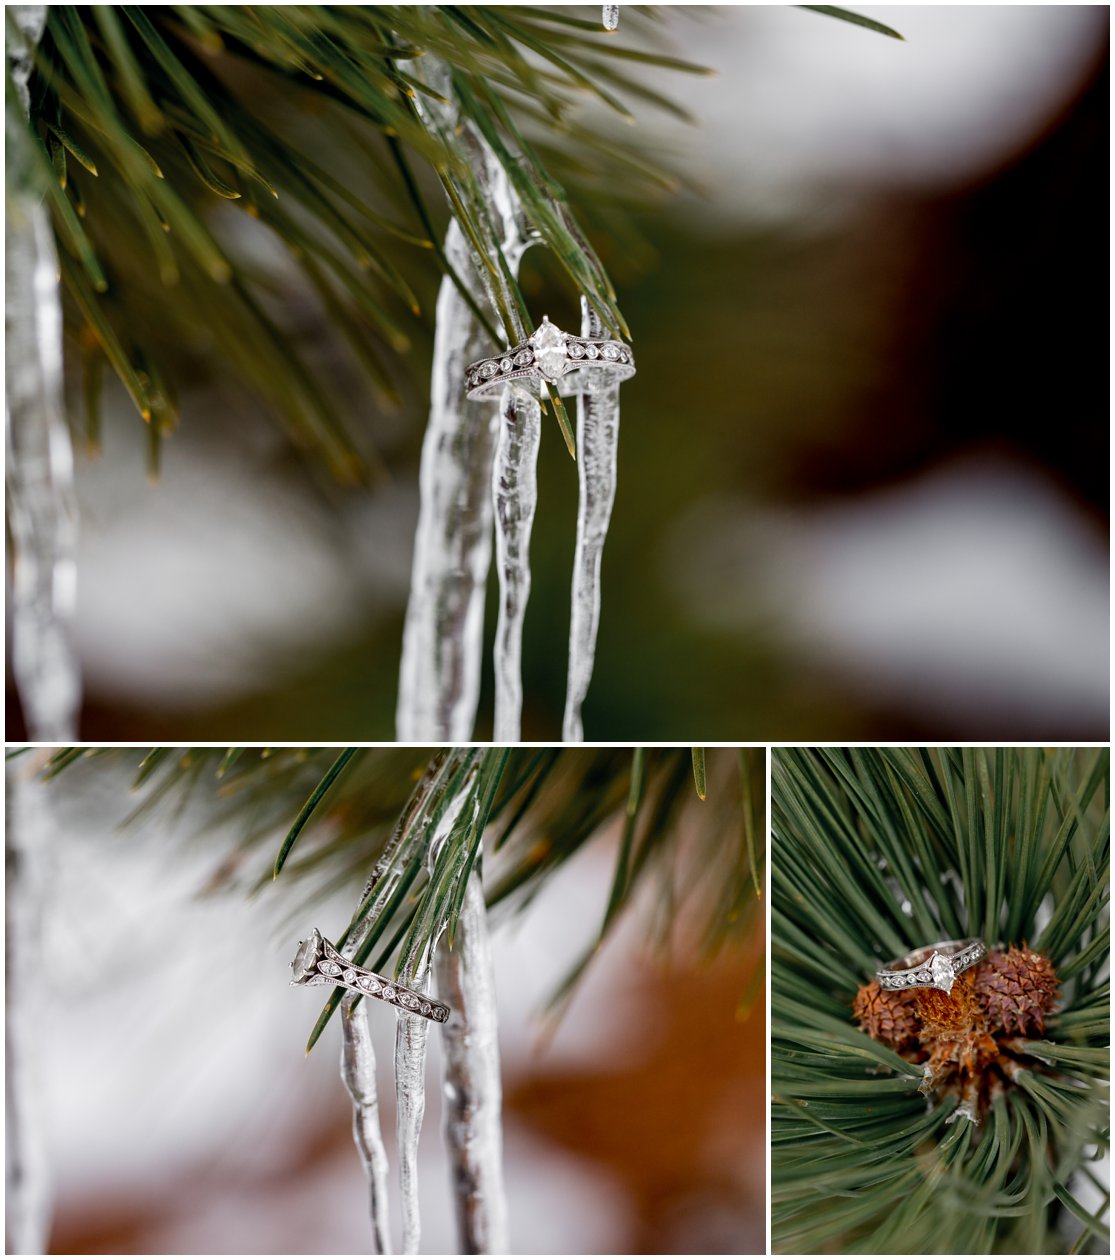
575, 365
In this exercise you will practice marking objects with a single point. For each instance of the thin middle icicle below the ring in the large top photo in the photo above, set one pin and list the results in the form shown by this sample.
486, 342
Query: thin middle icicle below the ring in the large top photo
515, 492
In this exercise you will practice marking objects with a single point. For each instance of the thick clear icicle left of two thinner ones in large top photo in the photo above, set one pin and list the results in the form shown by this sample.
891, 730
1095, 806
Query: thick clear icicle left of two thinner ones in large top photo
444, 633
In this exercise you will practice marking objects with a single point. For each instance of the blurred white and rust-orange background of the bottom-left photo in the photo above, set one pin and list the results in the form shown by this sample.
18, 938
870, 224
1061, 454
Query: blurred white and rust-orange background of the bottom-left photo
182, 1114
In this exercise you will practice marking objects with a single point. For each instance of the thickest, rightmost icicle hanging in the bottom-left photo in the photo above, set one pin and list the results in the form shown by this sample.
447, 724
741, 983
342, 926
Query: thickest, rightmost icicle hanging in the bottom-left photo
473, 1122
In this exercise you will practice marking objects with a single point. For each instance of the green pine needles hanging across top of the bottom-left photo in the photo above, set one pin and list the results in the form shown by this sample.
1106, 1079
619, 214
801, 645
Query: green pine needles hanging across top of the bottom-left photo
337, 818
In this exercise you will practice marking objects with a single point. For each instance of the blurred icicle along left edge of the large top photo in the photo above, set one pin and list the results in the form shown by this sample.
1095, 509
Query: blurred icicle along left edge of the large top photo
42, 513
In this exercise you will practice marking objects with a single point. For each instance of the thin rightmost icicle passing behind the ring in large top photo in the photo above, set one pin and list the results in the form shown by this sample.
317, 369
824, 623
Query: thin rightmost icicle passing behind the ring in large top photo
598, 444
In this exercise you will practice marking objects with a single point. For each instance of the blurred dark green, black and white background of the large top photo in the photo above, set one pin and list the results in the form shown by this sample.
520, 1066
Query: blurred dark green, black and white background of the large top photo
864, 468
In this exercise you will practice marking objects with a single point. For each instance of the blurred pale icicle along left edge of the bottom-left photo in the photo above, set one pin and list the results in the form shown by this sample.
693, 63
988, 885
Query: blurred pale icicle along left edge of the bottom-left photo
27, 833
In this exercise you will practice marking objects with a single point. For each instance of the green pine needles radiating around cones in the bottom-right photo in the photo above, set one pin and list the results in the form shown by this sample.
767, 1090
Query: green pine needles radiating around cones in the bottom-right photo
876, 852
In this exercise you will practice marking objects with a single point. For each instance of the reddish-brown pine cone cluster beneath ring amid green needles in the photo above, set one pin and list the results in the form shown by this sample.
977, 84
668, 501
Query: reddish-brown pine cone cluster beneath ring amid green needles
969, 1040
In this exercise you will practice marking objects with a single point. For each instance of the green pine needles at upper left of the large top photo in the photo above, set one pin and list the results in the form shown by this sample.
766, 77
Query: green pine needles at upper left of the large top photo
157, 127
